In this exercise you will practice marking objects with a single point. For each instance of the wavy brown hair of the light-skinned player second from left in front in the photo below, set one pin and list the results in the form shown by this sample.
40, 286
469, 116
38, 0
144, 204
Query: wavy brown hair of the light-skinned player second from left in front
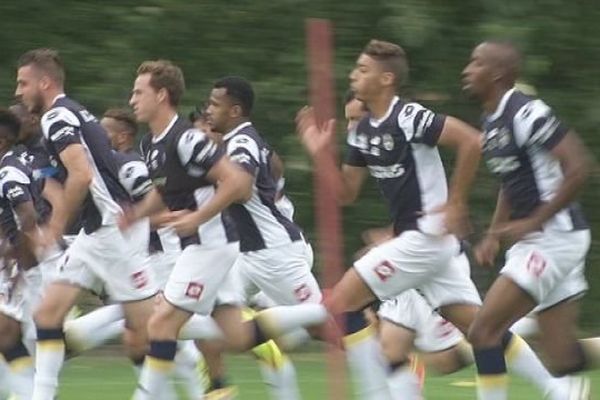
165, 75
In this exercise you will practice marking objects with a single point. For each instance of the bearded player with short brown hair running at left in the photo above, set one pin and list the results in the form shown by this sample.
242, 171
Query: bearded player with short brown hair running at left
100, 253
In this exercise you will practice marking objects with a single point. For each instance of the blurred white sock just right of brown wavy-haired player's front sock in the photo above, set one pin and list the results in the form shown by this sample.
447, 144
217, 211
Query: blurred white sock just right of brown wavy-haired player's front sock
186, 362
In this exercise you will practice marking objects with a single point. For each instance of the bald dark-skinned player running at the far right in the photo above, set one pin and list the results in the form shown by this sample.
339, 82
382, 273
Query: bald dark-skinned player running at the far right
541, 165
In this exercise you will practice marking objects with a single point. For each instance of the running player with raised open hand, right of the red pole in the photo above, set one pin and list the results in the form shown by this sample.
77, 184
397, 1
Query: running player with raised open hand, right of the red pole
397, 143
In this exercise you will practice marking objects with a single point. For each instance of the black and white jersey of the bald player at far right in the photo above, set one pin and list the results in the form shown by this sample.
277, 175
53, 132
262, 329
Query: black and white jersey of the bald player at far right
517, 142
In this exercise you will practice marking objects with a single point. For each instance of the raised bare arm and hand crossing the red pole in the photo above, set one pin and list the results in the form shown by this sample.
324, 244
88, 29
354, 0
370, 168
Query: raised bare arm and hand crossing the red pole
349, 180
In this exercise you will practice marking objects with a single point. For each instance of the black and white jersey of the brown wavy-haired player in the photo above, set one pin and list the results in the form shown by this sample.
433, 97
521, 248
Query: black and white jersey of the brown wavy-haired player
178, 161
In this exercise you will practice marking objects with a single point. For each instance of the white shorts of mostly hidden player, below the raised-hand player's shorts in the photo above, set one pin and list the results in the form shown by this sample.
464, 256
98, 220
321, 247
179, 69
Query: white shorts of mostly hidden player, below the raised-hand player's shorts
432, 332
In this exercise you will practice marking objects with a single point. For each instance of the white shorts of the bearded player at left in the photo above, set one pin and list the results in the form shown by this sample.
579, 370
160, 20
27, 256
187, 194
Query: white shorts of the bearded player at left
107, 258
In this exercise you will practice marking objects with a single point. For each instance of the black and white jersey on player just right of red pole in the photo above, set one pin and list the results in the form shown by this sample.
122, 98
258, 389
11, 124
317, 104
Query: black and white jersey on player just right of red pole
401, 154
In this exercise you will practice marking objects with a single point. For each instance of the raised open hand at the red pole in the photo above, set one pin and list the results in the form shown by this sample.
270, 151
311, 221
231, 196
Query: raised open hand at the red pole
315, 138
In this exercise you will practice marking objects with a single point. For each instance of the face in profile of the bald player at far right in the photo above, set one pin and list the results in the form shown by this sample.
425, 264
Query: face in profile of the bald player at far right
477, 77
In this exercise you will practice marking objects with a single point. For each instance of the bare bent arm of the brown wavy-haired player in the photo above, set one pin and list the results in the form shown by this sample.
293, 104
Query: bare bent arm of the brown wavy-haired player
232, 186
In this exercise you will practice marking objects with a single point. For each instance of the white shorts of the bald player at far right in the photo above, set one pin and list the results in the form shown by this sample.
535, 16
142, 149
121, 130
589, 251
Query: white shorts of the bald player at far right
549, 266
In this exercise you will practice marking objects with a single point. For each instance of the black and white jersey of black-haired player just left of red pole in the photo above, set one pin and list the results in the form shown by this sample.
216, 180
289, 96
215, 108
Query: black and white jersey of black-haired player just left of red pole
260, 223
